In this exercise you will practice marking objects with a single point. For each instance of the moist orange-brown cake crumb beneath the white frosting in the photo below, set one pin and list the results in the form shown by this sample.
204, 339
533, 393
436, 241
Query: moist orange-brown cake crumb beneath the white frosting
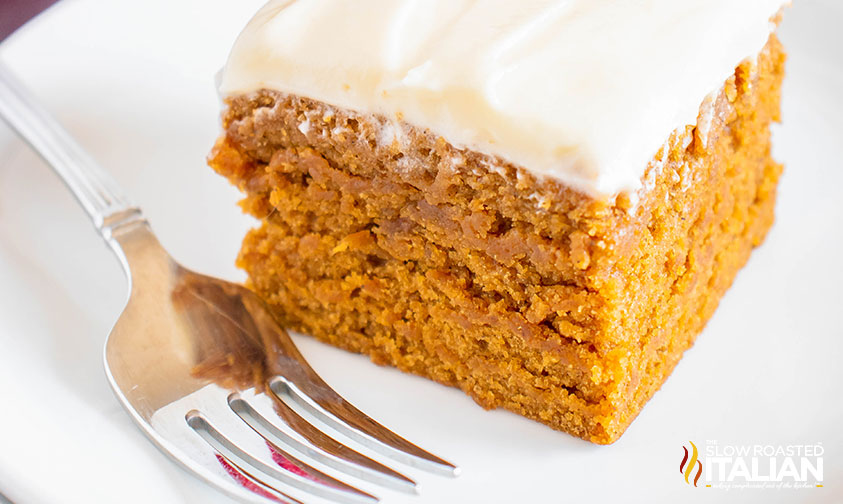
560, 304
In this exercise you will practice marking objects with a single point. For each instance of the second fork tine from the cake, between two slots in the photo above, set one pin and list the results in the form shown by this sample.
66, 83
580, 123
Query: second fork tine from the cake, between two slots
328, 451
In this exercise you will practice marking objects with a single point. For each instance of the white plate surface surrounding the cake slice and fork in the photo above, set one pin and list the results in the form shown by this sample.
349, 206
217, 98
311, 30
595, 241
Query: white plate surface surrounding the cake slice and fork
133, 81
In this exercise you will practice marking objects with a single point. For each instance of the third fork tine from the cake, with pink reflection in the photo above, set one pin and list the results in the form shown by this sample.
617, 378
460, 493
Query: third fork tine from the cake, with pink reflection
332, 489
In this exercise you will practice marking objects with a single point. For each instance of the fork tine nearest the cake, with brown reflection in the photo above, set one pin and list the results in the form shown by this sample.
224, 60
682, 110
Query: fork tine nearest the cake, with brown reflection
323, 403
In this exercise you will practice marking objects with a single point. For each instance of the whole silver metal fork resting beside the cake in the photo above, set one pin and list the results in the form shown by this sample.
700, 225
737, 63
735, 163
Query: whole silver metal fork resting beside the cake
202, 366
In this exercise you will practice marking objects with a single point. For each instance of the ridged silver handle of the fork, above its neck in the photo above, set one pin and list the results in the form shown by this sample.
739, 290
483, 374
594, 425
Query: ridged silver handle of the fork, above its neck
95, 189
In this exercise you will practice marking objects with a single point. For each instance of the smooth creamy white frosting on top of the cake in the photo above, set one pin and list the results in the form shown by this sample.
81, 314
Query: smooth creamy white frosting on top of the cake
585, 91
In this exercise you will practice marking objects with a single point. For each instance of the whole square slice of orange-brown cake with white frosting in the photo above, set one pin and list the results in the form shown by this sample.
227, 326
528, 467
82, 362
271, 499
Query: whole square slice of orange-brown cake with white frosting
540, 202
